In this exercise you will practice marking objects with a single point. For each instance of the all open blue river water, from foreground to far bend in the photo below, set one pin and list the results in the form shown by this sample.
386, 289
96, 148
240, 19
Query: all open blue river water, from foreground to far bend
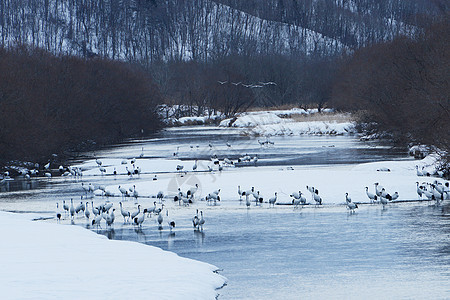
399, 252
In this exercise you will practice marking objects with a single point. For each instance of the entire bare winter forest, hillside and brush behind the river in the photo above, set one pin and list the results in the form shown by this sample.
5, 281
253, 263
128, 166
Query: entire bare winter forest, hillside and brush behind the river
76, 73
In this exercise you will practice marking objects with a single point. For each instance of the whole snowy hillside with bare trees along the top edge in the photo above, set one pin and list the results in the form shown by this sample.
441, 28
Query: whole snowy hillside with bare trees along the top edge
147, 31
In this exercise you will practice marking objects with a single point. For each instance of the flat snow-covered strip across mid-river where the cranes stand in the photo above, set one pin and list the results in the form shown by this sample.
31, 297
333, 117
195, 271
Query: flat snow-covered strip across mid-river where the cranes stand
332, 181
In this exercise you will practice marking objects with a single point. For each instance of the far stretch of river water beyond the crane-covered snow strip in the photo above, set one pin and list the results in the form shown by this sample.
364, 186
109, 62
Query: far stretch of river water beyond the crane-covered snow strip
290, 150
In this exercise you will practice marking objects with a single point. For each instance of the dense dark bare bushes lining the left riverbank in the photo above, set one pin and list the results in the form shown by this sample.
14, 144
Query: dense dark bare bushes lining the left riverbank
58, 104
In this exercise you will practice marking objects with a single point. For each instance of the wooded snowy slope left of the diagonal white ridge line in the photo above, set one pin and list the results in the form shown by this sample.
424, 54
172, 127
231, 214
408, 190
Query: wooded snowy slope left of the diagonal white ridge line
197, 36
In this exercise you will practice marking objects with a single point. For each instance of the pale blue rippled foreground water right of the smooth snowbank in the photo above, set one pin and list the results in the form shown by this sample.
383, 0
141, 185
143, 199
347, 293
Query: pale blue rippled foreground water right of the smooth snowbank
318, 253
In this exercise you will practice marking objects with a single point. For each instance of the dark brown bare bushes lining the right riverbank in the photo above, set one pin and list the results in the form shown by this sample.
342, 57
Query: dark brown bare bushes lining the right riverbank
402, 87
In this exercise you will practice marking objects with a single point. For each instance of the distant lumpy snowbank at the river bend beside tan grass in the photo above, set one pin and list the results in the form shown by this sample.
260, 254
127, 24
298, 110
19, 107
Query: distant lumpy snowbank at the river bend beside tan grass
271, 123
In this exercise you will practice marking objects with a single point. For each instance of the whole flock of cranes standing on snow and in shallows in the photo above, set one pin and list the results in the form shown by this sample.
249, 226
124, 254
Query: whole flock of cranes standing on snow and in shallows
139, 214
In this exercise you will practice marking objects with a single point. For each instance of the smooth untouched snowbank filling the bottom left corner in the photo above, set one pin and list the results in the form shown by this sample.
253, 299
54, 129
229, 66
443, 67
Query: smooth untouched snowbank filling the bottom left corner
48, 261
